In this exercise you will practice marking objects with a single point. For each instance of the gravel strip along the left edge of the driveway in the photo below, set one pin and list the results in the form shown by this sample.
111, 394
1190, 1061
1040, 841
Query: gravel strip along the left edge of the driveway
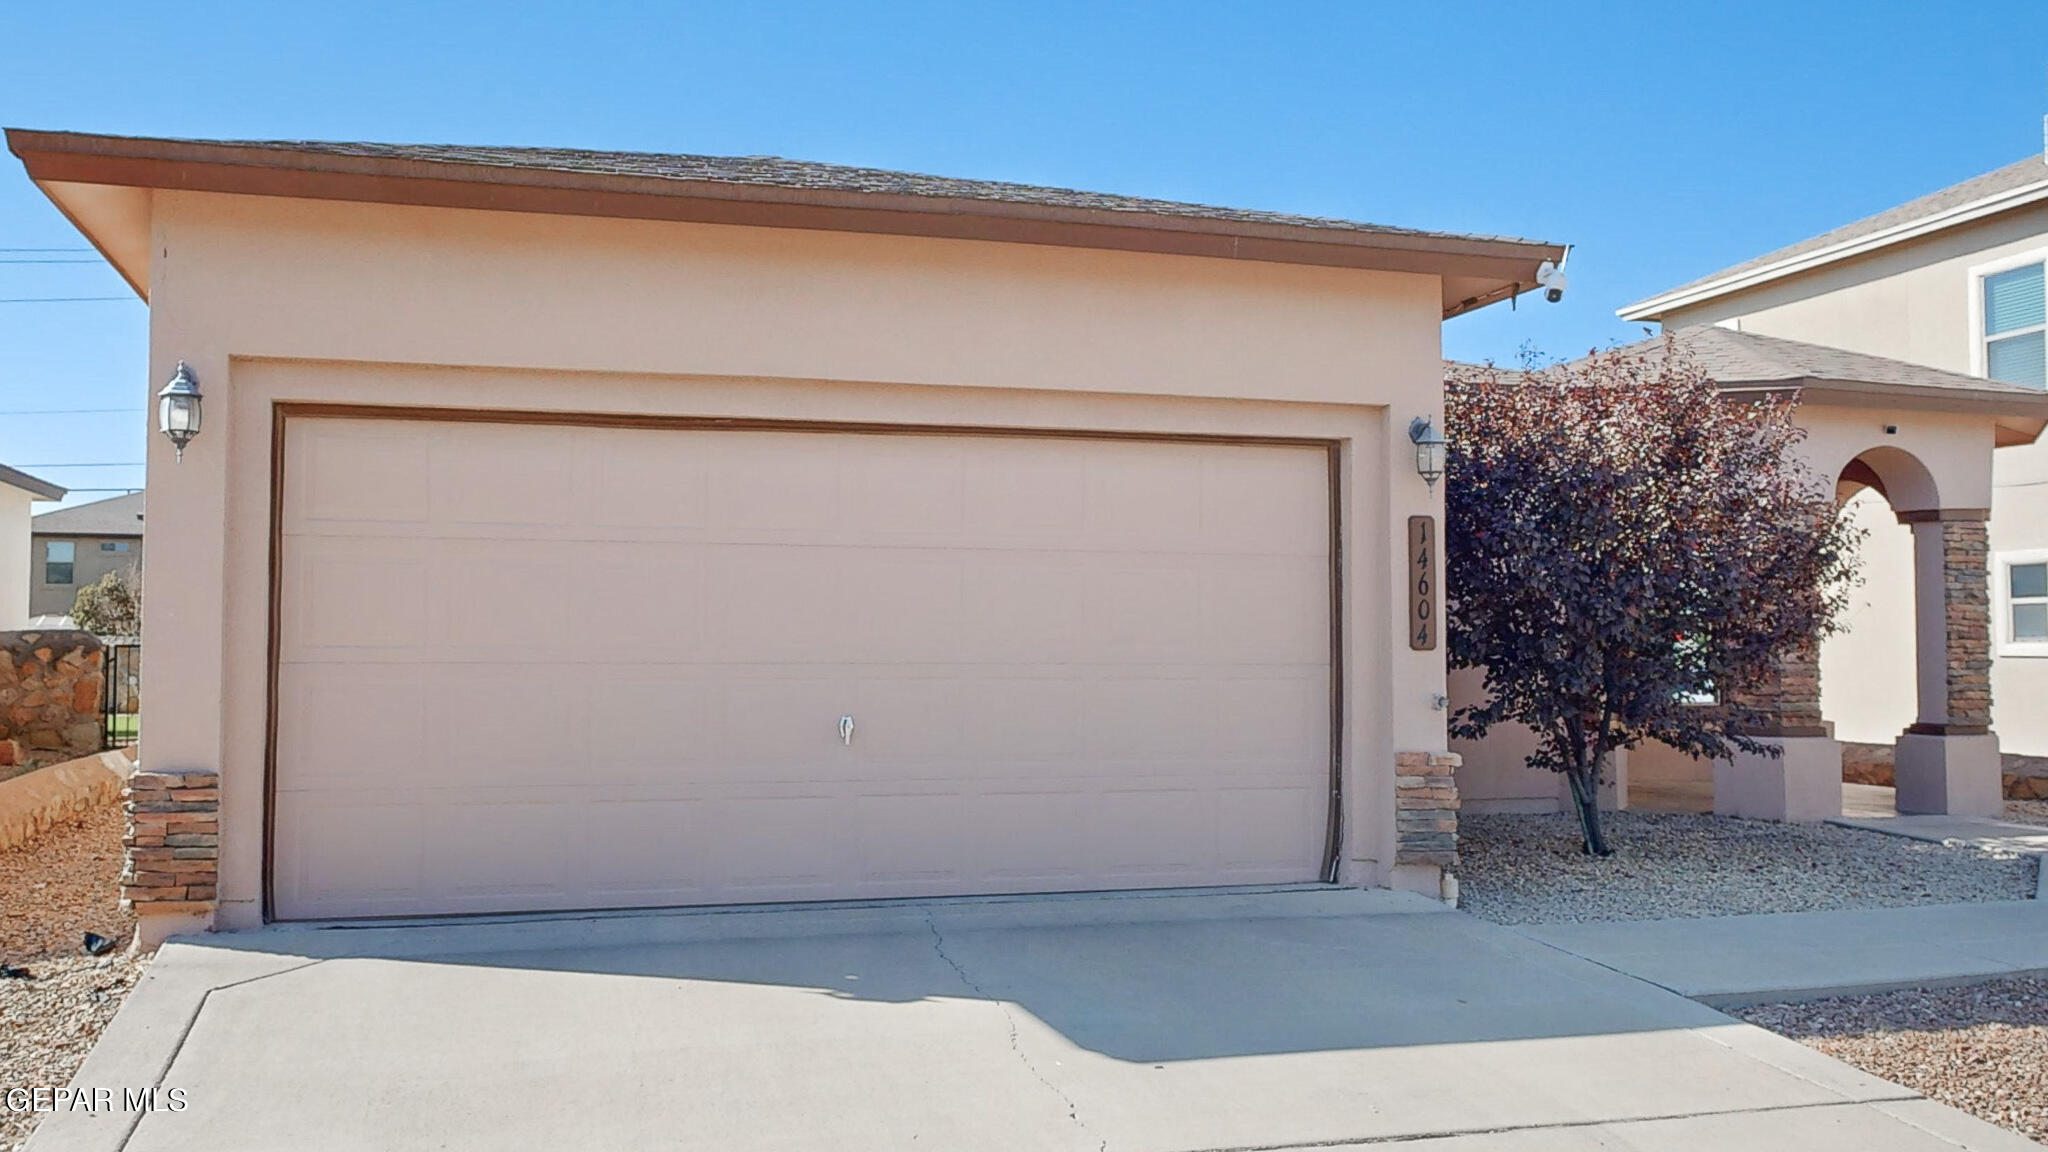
54, 999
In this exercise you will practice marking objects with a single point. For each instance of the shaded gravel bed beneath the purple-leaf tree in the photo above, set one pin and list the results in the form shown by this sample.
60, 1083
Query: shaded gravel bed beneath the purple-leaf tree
1523, 870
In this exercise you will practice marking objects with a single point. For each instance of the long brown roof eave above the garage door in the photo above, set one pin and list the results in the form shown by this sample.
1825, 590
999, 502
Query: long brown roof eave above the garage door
81, 159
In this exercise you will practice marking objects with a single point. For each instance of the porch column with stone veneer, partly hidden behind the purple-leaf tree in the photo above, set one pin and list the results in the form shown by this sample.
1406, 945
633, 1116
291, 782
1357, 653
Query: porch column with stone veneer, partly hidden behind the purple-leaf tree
1803, 780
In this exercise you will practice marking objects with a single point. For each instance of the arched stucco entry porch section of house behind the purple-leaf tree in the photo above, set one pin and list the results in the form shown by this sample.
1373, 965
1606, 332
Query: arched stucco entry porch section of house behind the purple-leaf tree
1922, 444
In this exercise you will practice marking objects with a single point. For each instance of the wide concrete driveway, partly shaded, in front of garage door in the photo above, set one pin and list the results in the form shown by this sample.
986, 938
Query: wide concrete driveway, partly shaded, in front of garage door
1125, 1024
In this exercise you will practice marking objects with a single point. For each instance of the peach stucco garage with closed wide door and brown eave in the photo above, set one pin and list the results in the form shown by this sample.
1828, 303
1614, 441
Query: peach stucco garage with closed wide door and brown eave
964, 536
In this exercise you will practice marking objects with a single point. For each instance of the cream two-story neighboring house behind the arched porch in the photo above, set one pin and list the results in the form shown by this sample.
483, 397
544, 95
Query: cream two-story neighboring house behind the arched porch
1951, 282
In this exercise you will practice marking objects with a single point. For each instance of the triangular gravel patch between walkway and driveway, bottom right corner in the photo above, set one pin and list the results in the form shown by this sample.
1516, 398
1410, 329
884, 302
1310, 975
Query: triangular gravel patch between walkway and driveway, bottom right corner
1981, 1048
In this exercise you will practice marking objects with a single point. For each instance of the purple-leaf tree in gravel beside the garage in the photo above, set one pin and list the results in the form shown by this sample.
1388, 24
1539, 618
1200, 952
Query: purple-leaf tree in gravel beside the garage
1631, 557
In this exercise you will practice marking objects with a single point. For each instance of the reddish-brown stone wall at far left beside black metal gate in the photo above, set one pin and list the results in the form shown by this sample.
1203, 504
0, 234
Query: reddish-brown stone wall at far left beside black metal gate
50, 696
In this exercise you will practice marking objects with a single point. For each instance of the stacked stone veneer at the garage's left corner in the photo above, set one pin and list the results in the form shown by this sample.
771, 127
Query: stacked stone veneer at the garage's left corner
173, 852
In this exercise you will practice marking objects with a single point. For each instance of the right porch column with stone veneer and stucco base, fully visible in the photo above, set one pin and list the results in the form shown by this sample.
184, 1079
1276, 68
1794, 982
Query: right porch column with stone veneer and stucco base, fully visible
1949, 759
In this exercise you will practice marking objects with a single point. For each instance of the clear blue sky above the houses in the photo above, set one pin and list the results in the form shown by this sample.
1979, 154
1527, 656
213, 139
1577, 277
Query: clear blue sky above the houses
1662, 140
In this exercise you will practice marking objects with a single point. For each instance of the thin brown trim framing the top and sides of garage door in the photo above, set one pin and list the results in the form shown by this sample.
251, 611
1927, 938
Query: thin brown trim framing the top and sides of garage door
284, 413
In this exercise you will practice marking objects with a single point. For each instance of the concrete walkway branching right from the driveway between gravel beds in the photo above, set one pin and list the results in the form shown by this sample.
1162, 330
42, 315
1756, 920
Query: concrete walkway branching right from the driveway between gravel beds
1803, 956
